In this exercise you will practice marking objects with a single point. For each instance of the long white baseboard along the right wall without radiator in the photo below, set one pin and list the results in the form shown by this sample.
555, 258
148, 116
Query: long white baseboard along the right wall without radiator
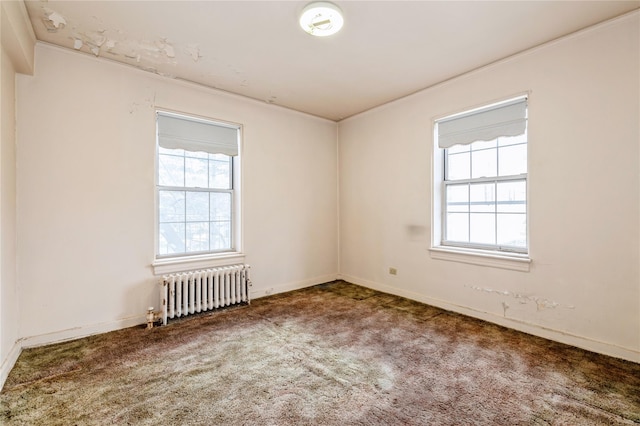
526, 327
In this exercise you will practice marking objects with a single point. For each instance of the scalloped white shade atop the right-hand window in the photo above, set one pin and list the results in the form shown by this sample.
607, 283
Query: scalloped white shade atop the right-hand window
484, 125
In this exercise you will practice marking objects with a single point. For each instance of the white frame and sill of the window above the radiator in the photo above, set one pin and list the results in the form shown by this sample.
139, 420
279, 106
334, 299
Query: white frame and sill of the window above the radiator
164, 264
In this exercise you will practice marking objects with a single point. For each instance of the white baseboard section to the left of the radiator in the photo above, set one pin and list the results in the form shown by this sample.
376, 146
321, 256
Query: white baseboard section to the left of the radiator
79, 332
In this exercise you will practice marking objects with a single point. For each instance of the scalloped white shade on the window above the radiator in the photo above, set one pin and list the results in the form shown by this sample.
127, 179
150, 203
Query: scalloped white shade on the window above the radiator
196, 136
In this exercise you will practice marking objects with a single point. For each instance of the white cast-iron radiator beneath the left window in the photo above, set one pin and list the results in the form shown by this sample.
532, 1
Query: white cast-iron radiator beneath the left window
191, 292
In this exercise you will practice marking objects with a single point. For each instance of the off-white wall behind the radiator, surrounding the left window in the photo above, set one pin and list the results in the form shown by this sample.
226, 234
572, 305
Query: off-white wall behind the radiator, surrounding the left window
86, 192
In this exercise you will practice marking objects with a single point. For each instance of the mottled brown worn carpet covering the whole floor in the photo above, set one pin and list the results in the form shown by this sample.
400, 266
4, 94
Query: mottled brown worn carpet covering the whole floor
335, 354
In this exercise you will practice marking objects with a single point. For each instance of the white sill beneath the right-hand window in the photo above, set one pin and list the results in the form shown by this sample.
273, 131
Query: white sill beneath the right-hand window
514, 262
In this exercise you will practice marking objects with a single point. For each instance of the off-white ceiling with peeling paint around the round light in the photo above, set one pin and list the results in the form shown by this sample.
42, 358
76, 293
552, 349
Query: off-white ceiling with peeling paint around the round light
386, 50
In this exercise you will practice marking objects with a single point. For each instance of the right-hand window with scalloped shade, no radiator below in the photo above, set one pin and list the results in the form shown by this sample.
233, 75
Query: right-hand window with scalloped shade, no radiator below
483, 178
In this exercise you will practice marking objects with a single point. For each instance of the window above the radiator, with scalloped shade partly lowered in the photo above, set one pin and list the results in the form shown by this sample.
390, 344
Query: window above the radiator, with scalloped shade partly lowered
197, 162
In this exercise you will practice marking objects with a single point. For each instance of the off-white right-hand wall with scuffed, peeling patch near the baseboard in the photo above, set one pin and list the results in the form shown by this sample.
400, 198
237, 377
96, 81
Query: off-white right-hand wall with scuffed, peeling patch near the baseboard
583, 200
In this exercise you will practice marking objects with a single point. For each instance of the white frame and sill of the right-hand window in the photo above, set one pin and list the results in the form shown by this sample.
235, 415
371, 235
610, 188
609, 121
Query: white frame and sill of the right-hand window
476, 254
